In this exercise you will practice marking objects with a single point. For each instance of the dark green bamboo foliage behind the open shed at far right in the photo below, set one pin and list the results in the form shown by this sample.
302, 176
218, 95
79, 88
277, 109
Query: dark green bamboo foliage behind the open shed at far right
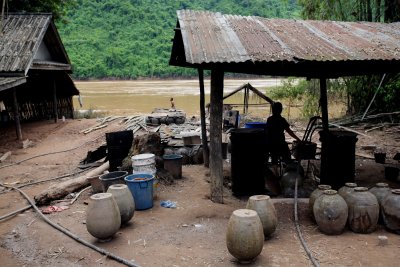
360, 90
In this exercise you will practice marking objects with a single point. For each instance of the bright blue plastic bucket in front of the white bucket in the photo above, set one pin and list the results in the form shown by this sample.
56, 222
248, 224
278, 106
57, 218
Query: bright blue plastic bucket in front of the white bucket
141, 187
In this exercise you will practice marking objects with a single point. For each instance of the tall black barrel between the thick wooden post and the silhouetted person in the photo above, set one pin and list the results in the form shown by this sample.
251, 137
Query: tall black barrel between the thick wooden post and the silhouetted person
248, 158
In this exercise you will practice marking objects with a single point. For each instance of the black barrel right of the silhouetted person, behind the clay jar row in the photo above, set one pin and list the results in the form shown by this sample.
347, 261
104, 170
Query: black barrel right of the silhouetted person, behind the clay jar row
337, 157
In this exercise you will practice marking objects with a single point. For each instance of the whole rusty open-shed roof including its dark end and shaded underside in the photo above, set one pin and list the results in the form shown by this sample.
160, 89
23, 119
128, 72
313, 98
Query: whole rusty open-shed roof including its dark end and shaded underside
285, 47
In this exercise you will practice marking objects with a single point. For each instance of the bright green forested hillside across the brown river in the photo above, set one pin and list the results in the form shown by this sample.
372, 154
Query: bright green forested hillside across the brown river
128, 39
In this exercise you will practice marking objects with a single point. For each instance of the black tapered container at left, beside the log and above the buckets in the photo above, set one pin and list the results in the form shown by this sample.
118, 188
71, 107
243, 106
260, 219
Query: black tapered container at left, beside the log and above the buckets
118, 145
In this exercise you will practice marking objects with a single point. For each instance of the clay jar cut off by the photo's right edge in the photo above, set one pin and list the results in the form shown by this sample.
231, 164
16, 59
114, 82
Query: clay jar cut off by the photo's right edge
391, 211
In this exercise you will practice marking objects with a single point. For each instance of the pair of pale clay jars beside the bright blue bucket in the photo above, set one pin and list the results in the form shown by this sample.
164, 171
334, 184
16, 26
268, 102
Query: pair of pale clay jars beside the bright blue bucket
106, 212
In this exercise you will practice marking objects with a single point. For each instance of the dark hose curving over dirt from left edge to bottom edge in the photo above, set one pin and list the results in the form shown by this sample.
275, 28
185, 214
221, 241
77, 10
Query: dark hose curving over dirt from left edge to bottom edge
73, 236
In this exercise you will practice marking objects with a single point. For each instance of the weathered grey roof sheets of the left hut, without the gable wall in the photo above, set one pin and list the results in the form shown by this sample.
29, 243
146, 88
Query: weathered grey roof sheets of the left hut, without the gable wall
21, 37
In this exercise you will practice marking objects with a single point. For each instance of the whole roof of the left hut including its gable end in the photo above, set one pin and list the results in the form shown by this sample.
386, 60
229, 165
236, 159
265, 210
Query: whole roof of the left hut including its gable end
31, 41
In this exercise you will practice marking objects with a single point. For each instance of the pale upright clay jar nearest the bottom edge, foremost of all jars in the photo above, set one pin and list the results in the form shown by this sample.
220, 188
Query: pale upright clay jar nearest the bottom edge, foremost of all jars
244, 236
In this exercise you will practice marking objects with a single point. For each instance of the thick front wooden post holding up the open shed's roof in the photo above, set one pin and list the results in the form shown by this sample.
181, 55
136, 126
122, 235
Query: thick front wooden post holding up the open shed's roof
216, 172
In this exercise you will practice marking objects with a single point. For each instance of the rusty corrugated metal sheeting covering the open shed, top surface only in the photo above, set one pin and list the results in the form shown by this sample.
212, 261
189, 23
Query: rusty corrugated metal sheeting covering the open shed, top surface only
217, 38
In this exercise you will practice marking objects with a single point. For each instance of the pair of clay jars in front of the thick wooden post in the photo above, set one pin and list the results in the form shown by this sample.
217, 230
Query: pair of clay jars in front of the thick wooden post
247, 228
